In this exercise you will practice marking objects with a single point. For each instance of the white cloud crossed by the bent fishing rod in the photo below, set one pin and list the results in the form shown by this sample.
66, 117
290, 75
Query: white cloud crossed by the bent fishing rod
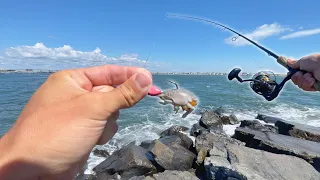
259, 33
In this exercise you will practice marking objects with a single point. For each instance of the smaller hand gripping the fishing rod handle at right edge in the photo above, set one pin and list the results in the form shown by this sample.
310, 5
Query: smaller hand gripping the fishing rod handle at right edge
308, 63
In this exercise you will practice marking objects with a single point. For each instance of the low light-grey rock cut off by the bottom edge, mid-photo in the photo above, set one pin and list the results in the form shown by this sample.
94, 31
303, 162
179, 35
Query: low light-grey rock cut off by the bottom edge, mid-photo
175, 175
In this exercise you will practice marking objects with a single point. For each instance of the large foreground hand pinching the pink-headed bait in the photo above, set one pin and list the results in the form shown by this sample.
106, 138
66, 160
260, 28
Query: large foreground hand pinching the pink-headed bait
71, 112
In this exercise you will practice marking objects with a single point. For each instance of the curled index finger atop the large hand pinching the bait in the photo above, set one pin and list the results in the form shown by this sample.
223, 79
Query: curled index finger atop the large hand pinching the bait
103, 75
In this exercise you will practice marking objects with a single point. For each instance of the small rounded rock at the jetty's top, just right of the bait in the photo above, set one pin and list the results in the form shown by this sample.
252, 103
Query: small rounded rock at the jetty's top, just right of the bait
210, 120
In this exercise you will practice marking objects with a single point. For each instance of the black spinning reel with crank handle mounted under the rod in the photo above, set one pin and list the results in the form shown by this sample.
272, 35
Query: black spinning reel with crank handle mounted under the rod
263, 83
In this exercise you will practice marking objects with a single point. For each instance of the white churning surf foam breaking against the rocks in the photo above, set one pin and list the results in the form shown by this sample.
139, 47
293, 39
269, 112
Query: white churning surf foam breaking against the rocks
150, 129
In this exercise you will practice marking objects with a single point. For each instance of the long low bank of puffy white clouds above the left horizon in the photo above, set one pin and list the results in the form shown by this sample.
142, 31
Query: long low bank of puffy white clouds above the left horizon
65, 57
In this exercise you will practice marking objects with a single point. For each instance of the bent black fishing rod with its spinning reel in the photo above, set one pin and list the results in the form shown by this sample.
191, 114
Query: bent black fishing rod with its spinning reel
263, 83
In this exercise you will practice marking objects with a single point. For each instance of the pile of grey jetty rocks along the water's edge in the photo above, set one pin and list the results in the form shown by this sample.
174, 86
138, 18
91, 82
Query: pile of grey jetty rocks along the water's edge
273, 149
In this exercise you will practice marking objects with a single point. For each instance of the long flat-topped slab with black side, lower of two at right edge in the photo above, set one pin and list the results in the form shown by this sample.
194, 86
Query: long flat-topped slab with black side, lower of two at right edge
281, 144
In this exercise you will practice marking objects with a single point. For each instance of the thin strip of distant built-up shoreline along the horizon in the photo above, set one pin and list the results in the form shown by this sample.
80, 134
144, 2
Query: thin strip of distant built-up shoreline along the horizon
33, 71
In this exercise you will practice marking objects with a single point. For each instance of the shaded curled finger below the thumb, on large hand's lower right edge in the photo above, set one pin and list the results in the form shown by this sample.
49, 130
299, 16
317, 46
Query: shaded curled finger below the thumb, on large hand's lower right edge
110, 129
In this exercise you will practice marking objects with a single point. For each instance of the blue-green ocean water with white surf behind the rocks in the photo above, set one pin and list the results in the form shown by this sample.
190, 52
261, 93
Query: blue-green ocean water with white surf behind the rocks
148, 118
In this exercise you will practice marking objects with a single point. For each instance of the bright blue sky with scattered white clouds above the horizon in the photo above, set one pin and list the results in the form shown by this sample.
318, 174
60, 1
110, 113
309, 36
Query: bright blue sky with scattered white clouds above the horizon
67, 34
